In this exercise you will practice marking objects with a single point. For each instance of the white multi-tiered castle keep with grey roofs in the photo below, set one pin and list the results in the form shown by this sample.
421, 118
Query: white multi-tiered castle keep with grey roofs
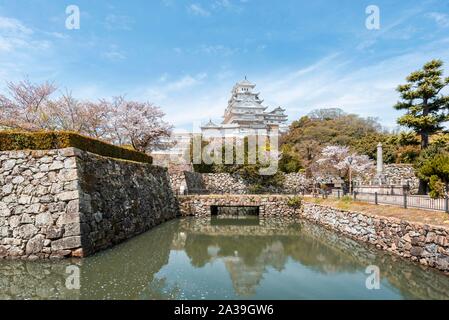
245, 115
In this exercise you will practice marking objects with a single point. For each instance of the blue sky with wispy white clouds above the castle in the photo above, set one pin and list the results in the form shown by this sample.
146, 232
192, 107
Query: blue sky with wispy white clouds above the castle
186, 55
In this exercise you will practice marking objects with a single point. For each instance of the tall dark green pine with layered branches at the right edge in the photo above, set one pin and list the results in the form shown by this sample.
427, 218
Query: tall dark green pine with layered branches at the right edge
426, 109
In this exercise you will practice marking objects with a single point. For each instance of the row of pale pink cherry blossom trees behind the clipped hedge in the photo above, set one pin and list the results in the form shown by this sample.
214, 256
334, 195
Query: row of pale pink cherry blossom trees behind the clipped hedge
31, 107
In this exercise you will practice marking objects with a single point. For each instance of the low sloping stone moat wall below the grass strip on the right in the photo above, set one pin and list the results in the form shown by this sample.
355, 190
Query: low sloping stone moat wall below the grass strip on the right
428, 245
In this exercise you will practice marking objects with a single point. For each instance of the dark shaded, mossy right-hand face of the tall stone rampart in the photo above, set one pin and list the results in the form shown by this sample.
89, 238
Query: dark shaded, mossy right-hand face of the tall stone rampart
120, 199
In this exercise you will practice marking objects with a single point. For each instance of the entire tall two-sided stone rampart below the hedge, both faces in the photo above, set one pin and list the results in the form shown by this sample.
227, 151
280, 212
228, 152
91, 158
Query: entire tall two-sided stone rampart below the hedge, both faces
67, 202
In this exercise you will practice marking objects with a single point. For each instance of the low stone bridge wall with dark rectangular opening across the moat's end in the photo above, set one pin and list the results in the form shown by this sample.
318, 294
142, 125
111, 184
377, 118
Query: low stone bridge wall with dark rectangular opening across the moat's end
269, 205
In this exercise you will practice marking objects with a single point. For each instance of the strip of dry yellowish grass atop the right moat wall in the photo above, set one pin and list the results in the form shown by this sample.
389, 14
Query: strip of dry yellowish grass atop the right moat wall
413, 215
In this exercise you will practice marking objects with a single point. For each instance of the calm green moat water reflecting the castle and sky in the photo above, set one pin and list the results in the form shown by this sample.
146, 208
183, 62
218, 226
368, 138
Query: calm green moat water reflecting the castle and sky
227, 258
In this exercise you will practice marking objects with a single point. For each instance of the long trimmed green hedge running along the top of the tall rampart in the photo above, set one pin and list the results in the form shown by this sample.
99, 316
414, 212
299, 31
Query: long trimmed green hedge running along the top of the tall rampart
47, 140
